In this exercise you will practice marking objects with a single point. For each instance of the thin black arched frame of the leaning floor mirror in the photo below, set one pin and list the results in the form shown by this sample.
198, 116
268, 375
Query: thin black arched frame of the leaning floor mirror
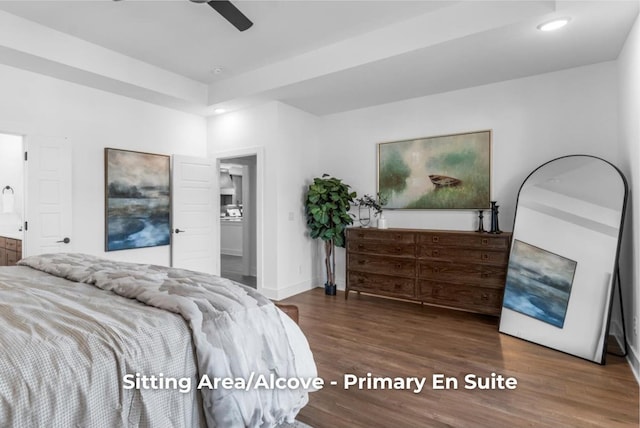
607, 306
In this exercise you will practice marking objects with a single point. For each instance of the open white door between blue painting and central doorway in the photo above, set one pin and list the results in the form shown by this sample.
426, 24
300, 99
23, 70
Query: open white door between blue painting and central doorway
193, 187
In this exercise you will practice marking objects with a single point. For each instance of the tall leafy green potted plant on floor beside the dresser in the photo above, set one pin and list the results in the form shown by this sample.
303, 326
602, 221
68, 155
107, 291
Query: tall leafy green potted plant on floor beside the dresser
327, 207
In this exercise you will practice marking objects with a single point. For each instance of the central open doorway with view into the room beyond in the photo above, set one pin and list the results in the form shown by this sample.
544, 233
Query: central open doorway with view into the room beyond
238, 219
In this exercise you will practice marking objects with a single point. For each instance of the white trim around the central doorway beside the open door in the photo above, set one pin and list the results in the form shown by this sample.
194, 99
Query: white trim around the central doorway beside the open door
258, 152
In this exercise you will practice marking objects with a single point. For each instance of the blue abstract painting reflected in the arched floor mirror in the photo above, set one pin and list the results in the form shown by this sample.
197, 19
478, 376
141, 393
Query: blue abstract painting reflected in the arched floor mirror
539, 283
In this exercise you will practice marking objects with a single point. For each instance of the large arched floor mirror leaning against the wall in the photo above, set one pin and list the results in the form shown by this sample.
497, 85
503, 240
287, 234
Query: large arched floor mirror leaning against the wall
564, 256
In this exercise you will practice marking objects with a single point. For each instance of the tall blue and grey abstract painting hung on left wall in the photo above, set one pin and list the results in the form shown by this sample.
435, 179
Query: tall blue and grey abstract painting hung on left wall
137, 199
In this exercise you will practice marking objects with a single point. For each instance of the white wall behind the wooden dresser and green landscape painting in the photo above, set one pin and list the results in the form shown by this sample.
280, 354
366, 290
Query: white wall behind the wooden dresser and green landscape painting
533, 119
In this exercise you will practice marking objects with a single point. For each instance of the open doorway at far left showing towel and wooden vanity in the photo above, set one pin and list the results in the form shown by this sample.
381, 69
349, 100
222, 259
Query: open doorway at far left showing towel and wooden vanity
12, 193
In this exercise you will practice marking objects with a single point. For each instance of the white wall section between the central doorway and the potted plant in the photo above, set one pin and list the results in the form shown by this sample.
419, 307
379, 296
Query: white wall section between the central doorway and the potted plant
285, 140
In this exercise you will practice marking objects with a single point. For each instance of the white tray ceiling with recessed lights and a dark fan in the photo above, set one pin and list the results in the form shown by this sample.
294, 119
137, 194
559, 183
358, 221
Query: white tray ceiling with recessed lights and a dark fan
320, 56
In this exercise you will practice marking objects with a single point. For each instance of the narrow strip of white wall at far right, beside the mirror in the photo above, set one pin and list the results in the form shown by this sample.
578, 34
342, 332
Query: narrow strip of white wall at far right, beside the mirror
629, 106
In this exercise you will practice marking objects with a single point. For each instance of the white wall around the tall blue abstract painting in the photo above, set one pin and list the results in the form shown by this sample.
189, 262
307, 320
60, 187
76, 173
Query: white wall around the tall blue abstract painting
33, 104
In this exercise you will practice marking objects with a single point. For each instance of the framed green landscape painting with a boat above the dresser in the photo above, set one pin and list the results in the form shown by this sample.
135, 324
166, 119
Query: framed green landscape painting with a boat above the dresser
446, 172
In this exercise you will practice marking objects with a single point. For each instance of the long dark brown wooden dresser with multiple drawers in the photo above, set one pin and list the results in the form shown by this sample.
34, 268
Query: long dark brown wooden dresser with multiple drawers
456, 269
